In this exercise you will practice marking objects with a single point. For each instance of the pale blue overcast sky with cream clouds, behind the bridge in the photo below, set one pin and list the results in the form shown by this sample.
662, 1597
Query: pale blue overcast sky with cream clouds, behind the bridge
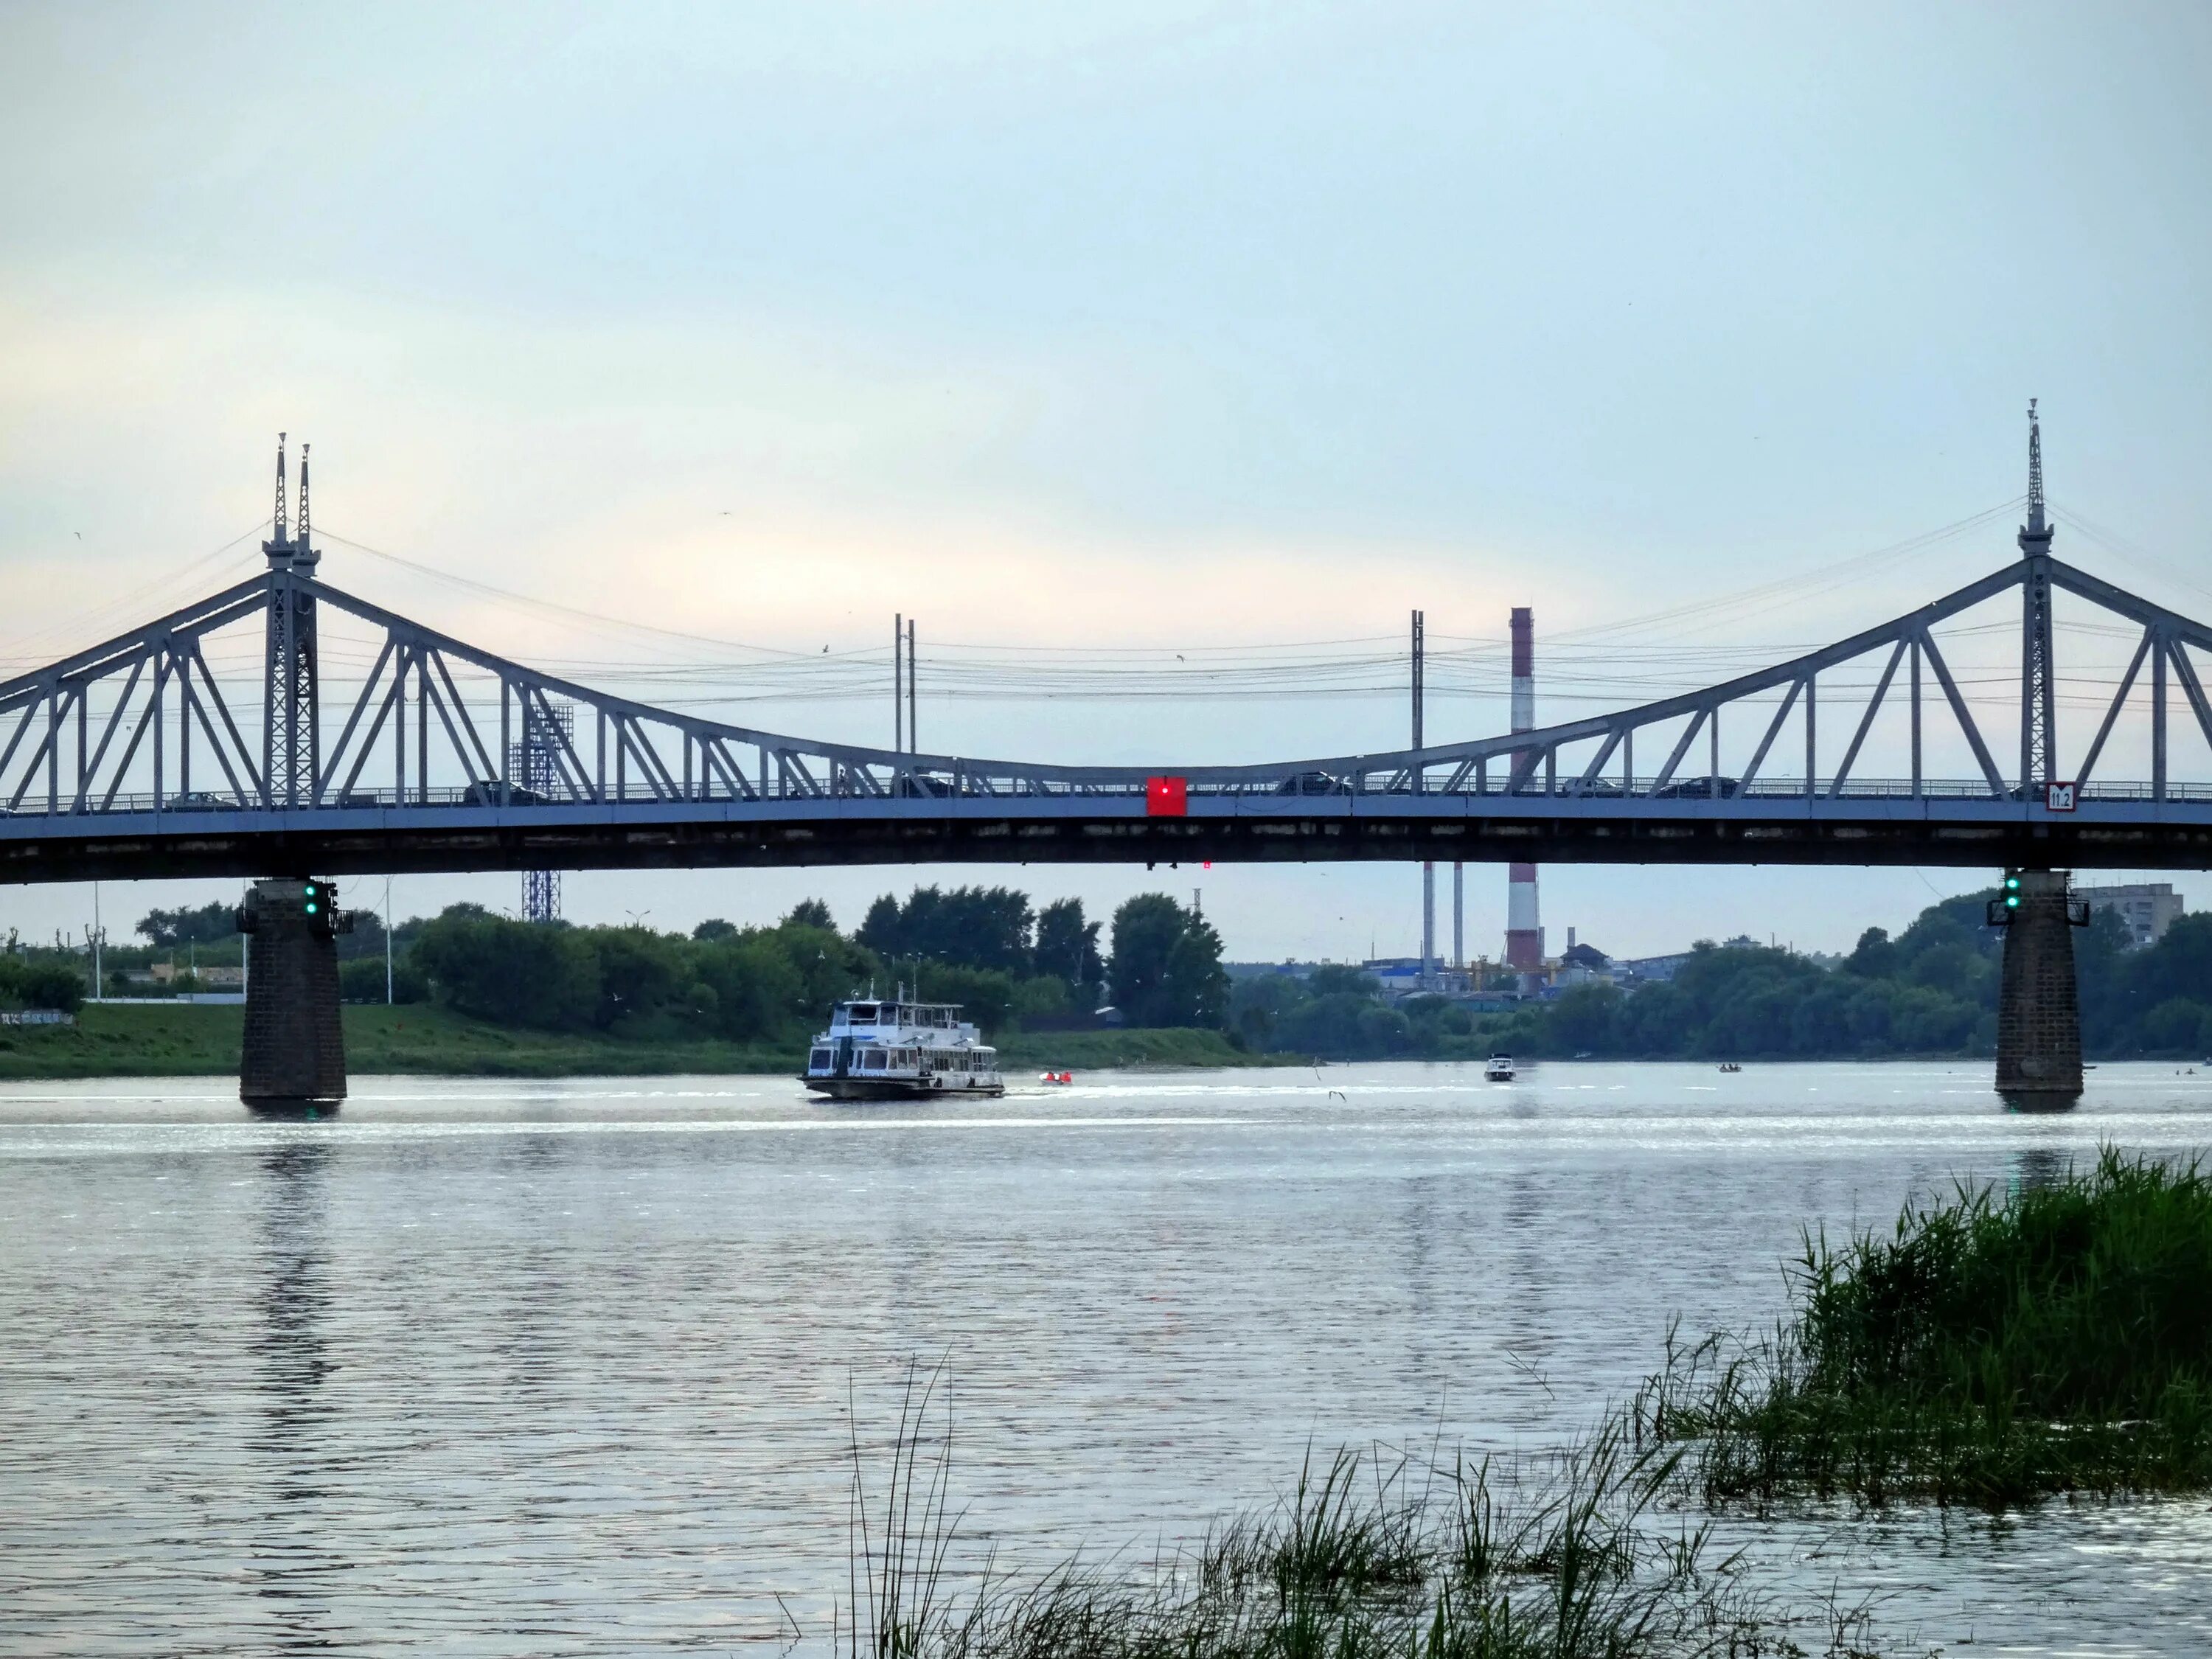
1127, 326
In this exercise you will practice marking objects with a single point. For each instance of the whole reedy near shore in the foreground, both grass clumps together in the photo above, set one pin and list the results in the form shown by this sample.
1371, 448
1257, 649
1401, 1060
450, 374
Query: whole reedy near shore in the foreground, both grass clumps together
1992, 1350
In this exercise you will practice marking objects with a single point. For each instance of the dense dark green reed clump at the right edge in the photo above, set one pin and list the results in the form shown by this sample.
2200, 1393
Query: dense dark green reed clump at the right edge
1987, 1353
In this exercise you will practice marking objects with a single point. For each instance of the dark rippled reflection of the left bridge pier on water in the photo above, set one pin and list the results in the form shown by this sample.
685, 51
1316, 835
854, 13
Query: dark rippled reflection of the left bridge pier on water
289, 1563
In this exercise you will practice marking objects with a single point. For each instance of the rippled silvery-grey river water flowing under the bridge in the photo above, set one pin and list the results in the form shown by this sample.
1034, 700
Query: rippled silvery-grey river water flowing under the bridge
565, 1368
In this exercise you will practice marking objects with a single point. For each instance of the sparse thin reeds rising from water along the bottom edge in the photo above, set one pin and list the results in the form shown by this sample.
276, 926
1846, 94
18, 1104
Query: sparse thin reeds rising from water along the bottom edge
1565, 1556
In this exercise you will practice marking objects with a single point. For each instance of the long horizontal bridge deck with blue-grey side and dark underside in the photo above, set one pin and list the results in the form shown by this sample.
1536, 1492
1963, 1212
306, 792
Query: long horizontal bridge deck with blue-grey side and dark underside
1853, 828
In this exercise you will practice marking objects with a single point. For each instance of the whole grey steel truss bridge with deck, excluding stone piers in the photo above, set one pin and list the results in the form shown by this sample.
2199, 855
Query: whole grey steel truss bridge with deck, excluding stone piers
134, 760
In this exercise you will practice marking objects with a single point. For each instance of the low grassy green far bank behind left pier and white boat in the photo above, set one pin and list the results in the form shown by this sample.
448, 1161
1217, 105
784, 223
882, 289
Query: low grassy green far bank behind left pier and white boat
200, 1041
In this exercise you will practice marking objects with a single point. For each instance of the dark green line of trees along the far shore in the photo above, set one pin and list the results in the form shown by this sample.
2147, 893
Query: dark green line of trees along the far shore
1928, 992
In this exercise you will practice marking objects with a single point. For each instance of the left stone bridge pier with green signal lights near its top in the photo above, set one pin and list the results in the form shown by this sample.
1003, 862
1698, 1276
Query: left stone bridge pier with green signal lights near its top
295, 1050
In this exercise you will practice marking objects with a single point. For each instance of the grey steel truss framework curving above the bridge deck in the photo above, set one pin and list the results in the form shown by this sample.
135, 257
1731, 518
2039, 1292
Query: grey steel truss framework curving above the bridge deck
138, 727
